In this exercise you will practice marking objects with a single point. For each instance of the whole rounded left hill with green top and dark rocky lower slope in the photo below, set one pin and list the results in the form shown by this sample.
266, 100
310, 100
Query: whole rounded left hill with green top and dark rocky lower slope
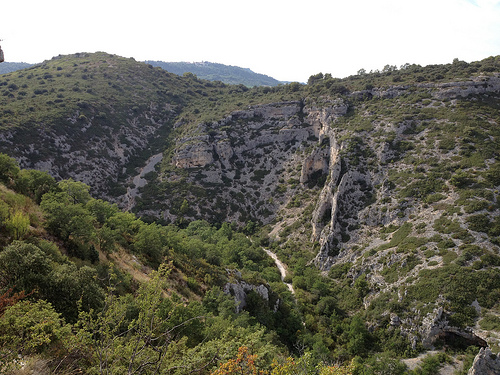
89, 115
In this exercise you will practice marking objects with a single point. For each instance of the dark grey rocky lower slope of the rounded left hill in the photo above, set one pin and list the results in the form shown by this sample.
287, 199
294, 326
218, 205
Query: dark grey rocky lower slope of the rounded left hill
87, 148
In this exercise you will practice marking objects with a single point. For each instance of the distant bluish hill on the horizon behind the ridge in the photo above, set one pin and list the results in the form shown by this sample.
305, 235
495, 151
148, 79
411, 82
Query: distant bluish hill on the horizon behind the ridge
232, 75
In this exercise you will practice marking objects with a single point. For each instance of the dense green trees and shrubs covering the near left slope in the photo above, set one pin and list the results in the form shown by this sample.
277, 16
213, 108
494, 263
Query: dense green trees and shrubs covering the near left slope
69, 296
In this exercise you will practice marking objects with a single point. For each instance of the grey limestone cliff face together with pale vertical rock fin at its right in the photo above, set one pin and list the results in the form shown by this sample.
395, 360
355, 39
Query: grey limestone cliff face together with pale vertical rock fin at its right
258, 151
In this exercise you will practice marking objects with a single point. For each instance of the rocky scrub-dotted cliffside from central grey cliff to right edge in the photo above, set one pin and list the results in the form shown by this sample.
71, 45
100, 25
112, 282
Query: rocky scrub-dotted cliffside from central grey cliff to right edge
388, 195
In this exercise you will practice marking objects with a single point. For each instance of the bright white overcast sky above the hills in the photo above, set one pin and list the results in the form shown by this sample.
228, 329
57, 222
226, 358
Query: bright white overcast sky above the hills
287, 40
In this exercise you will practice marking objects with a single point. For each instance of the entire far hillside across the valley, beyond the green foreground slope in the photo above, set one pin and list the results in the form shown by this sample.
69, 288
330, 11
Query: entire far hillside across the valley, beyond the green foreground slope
379, 193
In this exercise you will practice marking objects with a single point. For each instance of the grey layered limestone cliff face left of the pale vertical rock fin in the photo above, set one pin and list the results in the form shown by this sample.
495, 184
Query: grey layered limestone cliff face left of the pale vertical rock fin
239, 161
